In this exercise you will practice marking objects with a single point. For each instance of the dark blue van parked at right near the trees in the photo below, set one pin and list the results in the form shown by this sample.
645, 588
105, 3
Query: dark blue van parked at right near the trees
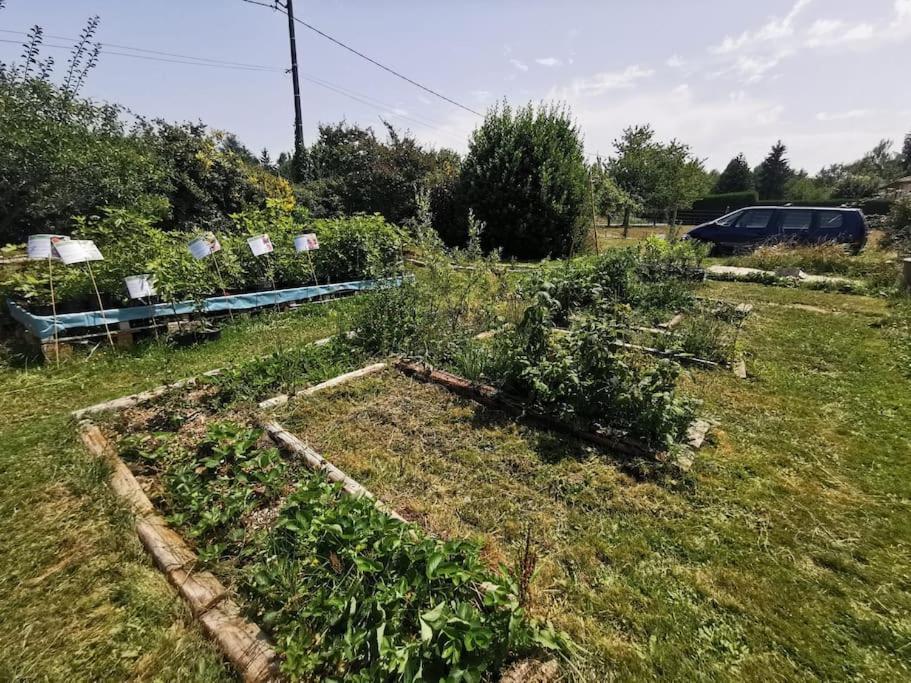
755, 225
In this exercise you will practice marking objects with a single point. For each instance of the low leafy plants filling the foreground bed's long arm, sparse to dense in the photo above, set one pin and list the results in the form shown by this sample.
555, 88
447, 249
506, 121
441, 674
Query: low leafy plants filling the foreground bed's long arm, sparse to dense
347, 591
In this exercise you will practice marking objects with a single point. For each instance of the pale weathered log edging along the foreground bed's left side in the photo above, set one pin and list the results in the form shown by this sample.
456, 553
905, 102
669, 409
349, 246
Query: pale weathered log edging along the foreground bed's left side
242, 641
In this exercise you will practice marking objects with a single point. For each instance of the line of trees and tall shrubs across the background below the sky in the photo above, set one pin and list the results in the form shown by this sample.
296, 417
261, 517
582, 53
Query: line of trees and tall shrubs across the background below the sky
524, 184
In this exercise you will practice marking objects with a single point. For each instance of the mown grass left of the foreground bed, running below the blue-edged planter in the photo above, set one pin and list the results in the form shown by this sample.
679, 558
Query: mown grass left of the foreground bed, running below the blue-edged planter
79, 598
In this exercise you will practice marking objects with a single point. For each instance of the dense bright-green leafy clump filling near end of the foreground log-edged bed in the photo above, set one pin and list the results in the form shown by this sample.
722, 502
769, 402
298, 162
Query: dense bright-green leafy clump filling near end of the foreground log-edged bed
352, 594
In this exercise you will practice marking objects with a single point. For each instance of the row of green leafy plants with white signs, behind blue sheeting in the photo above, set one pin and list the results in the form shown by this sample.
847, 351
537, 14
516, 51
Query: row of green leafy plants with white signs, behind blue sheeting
133, 243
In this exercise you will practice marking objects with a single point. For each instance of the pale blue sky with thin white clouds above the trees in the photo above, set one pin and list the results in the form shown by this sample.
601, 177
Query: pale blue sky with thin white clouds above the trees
828, 77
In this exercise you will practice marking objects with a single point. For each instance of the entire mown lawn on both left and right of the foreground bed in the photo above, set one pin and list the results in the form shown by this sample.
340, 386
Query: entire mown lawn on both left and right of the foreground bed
785, 556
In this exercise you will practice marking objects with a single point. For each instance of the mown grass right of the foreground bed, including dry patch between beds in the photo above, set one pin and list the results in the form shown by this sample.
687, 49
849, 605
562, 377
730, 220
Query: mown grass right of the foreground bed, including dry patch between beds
785, 557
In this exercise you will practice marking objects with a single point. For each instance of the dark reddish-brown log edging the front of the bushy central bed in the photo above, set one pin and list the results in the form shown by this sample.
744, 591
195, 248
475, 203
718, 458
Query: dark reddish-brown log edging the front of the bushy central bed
493, 398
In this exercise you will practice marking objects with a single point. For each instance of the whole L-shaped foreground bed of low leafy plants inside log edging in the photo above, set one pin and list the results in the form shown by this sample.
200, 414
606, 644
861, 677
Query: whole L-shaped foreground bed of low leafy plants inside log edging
343, 587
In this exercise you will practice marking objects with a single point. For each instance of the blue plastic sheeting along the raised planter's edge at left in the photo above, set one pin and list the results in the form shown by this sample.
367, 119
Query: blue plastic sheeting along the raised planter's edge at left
43, 326
